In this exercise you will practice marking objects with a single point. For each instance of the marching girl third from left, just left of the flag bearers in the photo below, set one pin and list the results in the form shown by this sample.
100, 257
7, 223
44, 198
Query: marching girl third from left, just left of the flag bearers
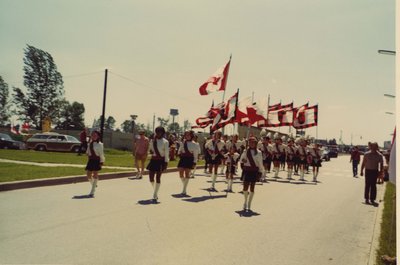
188, 153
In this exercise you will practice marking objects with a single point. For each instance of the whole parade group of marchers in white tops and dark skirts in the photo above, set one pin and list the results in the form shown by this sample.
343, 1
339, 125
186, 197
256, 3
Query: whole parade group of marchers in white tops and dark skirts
256, 157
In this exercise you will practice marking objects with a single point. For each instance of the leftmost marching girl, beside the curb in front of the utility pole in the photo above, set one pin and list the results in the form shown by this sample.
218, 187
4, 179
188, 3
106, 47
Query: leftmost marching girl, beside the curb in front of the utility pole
95, 154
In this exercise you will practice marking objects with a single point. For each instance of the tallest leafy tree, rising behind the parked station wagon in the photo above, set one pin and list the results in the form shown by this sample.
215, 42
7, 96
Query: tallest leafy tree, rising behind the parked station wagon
44, 87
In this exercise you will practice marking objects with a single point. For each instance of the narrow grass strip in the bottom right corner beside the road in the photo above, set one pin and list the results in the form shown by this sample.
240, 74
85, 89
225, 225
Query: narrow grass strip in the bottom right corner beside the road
387, 241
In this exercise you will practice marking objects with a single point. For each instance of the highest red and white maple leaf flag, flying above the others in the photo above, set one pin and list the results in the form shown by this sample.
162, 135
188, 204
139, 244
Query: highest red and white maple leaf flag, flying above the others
216, 82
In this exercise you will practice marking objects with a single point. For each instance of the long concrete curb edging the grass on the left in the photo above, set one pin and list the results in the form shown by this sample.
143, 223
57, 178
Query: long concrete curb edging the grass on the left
26, 184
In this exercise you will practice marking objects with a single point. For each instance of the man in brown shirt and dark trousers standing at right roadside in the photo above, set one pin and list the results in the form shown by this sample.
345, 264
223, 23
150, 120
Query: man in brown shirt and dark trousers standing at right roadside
373, 165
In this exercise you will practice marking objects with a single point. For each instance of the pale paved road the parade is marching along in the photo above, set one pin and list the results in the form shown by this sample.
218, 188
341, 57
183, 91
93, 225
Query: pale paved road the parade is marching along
327, 223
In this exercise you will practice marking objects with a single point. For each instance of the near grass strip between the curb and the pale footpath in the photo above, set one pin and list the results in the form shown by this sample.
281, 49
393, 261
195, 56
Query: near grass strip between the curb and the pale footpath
15, 172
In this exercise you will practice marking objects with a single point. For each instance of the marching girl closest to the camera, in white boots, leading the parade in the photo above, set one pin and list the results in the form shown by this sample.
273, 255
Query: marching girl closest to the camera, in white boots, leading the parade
252, 166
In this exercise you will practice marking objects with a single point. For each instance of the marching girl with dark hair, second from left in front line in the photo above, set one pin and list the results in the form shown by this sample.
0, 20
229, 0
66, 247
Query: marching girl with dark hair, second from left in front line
159, 150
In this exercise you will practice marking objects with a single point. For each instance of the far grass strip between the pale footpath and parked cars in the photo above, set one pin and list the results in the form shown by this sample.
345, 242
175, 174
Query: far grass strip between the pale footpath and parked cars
113, 157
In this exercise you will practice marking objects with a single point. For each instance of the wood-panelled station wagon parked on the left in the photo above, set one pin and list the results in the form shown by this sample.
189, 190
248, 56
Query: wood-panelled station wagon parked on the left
53, 142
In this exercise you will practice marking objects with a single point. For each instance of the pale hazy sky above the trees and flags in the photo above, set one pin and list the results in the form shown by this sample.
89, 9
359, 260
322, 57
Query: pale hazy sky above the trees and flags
158, 53
